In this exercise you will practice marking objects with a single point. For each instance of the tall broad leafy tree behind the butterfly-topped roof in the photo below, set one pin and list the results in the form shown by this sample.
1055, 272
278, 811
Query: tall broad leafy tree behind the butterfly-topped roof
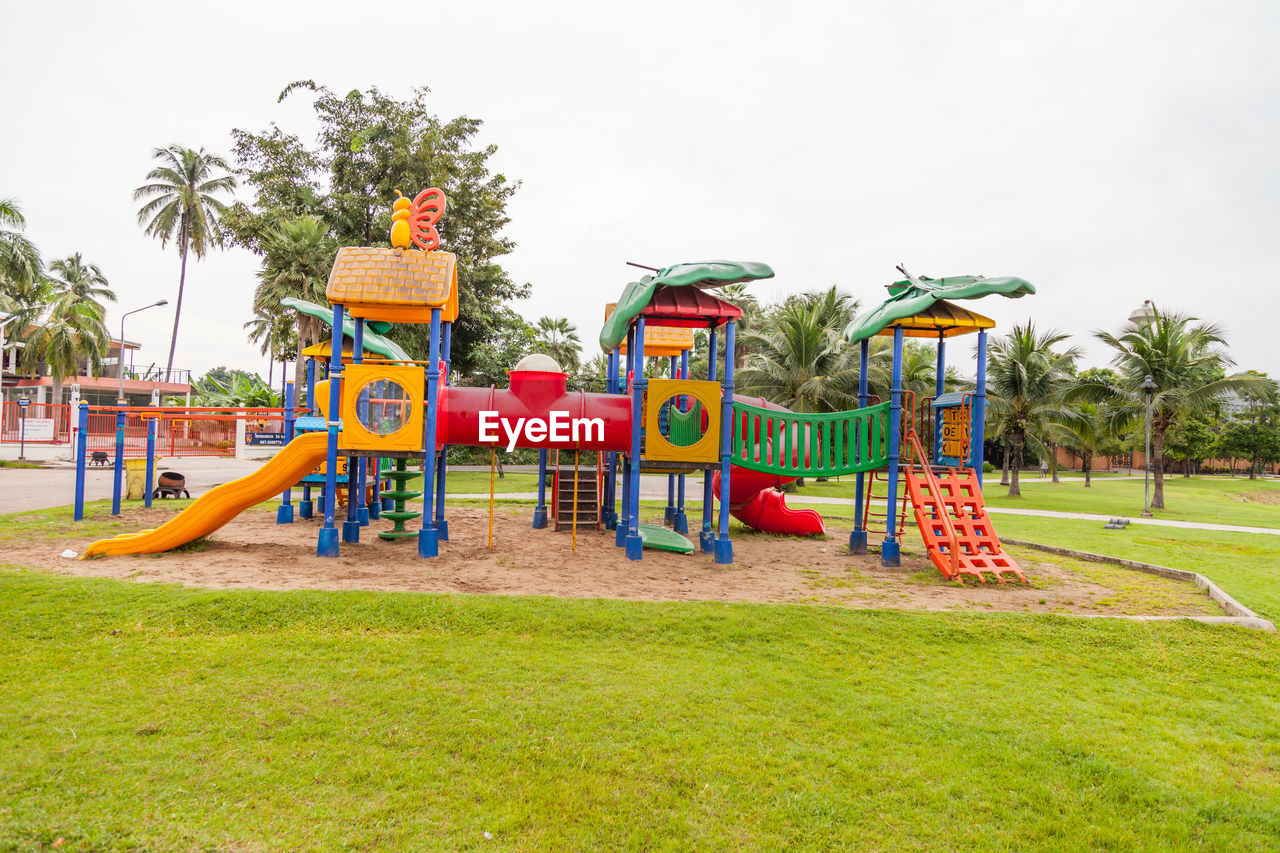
371, 145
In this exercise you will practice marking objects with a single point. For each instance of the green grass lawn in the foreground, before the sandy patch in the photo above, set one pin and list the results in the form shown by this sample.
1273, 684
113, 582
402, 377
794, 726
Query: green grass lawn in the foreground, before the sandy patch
158, 718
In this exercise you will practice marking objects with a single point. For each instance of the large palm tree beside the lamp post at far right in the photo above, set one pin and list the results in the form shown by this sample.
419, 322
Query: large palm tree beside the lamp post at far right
1185, 359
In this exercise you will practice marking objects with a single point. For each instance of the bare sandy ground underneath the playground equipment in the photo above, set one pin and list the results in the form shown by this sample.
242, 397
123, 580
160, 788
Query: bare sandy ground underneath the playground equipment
254, 553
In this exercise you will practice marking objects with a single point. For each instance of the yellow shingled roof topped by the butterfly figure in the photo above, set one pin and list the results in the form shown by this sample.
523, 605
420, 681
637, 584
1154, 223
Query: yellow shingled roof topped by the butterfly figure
396, 285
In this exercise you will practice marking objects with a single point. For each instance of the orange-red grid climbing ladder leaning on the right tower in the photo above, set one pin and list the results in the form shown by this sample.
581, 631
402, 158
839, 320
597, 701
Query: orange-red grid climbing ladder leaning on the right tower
954, 522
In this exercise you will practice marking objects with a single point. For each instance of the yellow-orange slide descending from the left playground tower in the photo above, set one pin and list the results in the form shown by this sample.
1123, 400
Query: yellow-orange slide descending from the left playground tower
223, 503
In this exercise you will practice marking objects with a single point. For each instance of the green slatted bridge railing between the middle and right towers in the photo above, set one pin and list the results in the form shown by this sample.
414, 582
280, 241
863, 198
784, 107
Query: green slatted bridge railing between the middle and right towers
810, 445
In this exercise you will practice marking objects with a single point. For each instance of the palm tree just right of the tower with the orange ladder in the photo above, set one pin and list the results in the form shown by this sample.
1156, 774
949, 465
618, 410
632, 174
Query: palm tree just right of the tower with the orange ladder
1026, 382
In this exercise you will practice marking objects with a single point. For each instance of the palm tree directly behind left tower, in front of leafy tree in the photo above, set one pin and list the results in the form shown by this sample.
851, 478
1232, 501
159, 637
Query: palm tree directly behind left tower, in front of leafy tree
298, 258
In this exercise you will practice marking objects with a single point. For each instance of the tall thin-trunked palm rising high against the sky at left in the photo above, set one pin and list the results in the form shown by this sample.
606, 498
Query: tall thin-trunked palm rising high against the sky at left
181, 206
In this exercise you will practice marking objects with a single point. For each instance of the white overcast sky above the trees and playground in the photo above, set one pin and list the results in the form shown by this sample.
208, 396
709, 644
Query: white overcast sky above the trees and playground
1107, 152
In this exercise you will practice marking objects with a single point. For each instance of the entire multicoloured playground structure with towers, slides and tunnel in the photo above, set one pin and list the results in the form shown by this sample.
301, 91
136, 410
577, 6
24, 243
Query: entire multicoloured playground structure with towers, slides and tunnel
373, 409
